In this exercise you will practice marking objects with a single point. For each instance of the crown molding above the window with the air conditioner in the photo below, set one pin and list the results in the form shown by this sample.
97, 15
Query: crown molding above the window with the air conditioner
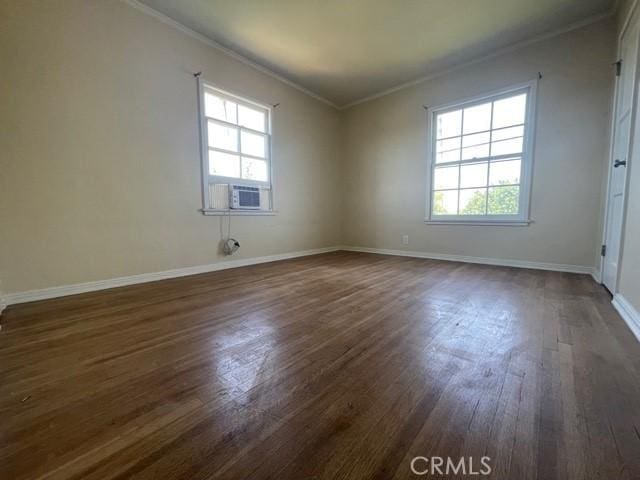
227, 51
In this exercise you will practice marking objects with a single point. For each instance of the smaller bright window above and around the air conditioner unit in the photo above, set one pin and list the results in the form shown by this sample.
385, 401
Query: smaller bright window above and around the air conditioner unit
236, 139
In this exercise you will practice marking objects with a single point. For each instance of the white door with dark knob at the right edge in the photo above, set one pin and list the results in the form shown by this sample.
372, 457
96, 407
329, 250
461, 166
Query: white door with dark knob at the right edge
623, 119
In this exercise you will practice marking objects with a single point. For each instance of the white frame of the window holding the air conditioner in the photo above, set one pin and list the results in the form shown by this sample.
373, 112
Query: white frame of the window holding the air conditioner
207, 178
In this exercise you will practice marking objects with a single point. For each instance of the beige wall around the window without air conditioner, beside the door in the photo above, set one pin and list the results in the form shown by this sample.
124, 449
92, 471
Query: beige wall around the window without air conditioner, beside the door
385, 148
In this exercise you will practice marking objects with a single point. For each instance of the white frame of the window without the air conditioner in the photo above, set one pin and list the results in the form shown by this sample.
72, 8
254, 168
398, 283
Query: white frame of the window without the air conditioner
526, 173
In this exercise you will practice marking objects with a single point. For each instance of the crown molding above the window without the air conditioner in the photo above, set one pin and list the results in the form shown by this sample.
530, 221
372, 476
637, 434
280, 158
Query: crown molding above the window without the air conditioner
497, 53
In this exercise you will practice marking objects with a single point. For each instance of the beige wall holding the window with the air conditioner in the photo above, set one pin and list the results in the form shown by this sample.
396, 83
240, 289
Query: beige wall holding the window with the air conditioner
100, 172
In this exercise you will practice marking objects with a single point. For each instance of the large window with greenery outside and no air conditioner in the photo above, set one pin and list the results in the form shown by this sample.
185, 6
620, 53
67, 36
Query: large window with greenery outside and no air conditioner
481, 159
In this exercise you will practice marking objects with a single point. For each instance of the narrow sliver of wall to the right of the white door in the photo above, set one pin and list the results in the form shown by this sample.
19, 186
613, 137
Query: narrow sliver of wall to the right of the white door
629, 280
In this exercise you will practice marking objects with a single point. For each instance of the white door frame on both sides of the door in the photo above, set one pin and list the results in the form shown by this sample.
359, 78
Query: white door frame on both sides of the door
629, 20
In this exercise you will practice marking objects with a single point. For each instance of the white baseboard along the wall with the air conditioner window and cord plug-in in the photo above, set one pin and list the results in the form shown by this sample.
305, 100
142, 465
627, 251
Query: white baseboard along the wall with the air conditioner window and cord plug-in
53, 292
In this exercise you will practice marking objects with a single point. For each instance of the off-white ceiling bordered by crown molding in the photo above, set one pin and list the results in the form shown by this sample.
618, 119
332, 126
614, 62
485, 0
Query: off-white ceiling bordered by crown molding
346, 50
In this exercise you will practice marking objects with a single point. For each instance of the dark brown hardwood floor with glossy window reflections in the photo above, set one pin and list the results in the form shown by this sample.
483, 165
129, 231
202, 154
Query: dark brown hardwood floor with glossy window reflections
336, 366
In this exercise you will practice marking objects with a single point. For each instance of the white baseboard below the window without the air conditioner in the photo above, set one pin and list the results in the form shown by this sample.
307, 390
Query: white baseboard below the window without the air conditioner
556, 267
